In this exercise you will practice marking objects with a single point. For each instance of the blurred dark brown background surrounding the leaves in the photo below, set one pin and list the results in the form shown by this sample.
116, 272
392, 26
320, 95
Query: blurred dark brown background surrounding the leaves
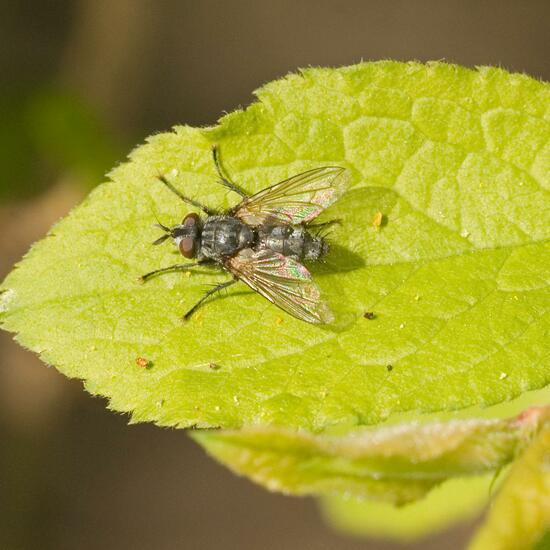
81, 83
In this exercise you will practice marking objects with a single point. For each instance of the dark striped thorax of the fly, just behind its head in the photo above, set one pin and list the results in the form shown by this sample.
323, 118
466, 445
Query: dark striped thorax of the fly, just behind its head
224, 236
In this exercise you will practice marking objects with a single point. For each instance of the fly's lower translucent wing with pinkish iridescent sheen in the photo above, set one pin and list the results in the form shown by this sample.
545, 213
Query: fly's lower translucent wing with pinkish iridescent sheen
283, 281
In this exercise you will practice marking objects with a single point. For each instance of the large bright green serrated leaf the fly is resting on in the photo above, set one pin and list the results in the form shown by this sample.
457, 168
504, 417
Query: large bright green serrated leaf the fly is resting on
456, 160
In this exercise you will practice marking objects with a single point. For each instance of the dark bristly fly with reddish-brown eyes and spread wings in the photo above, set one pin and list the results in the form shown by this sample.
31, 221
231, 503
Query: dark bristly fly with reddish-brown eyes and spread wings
263, 240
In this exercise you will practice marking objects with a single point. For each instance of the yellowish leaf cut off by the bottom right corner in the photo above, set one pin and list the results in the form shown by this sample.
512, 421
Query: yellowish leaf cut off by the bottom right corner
520, 515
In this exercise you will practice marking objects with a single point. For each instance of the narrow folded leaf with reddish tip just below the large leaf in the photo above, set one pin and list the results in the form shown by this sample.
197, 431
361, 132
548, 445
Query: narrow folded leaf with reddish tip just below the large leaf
397, 464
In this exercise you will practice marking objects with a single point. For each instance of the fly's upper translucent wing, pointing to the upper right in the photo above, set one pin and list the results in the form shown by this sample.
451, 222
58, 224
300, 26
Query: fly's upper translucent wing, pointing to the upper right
296, 200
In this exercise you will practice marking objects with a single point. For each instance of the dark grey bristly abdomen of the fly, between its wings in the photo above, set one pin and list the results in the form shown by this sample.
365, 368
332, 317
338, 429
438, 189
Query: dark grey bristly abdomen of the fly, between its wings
292, 240
